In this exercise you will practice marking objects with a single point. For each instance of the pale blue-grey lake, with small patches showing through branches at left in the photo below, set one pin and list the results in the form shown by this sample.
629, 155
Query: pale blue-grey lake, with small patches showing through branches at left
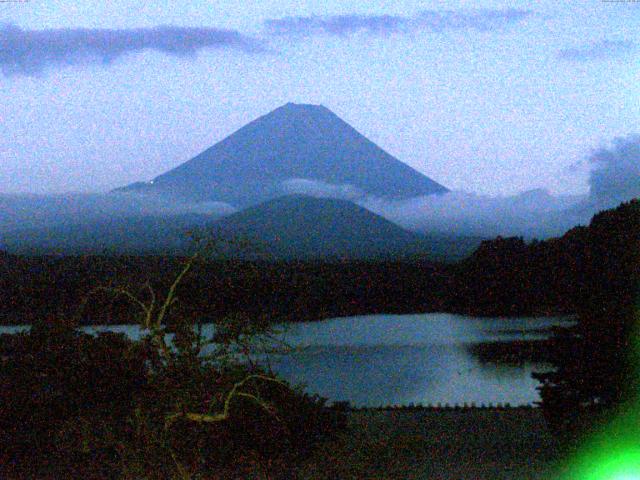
377, 360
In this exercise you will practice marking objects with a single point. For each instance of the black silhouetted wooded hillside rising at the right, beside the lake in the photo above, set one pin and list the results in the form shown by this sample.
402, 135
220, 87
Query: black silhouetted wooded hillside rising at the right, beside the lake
591, 271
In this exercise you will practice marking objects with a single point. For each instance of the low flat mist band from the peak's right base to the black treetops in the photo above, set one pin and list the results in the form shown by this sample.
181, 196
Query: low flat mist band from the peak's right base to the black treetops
535, 213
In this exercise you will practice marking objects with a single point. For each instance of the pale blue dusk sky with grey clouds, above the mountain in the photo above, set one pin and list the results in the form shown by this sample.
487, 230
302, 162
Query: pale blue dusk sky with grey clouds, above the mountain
484, 96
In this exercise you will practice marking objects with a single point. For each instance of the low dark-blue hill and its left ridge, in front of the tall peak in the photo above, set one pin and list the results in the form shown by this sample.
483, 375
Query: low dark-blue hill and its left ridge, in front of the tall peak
287, 228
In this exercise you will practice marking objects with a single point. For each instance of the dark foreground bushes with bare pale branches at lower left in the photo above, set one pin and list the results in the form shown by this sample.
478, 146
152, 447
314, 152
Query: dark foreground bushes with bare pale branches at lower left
76, 405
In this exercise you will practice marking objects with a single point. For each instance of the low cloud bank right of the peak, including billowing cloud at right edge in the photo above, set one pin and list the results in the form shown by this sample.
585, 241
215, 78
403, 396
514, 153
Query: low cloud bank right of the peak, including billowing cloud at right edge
614, 178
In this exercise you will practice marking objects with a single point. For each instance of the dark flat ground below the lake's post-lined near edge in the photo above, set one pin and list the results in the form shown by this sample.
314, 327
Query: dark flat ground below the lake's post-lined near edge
462, 445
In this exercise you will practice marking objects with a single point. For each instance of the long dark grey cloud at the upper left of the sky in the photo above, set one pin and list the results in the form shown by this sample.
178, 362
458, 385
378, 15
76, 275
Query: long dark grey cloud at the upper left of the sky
29, 52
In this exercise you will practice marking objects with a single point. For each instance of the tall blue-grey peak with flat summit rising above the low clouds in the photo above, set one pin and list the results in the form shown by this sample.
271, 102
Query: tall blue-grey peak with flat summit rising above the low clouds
292, 142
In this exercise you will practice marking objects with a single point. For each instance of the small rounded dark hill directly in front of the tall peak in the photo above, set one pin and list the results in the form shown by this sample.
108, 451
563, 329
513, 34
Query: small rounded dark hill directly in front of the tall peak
301, 227
